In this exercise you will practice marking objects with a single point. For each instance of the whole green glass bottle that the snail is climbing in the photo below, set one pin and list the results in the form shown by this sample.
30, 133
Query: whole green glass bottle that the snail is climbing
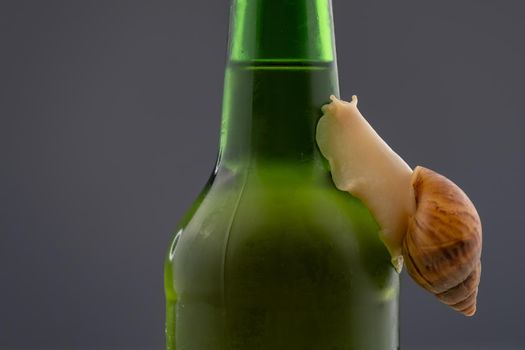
272, 256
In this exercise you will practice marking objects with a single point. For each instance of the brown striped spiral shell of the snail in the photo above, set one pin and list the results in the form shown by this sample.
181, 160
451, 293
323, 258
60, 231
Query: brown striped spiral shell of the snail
442, 246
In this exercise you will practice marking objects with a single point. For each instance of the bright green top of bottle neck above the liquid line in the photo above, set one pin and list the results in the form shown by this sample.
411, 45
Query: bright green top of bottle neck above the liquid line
277, 30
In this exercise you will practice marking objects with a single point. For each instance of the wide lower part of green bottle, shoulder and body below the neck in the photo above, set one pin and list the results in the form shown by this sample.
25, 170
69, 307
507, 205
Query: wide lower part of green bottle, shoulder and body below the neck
285, 268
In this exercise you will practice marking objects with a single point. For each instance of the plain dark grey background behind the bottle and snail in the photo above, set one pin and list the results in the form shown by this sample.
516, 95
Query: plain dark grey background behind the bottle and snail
109, 118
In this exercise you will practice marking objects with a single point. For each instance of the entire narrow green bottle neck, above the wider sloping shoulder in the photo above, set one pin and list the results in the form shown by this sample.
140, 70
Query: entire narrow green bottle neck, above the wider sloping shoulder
281, 70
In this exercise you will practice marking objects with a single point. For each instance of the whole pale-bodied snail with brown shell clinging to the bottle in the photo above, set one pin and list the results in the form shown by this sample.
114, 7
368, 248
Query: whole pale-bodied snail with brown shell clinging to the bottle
426, 221
